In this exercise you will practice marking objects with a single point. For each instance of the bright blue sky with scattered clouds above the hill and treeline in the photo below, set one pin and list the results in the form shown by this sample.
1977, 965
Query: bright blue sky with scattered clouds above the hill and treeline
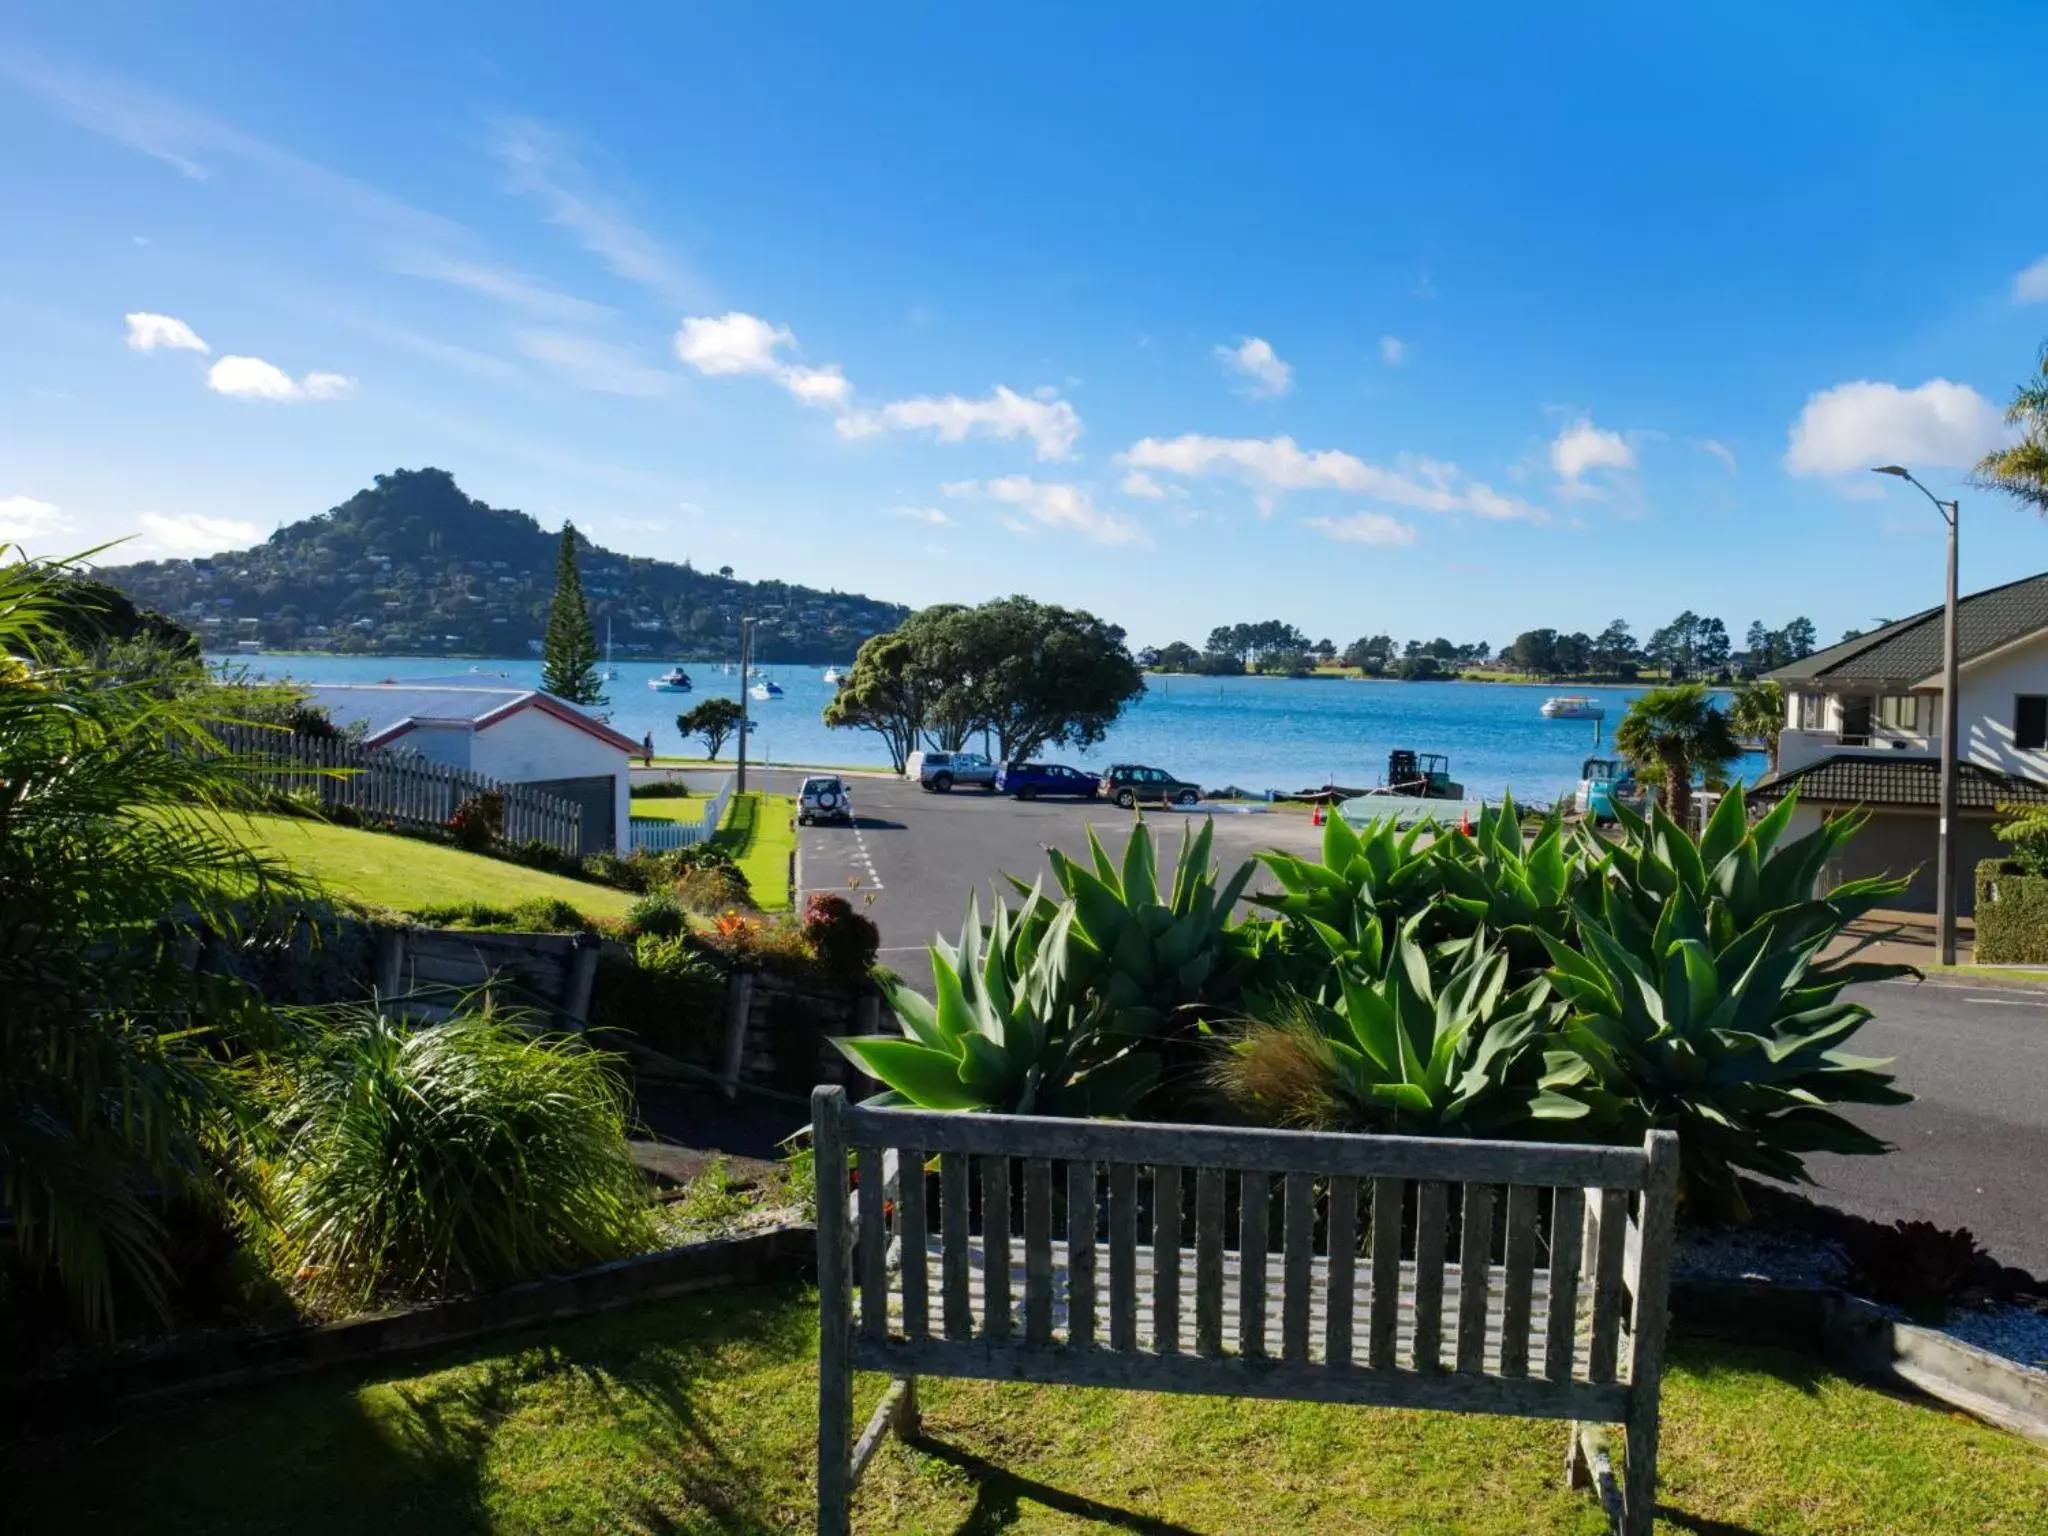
1433, 325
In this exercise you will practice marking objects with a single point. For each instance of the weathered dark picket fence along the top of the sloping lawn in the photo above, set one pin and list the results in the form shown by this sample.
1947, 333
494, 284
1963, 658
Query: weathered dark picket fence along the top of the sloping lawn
398, 787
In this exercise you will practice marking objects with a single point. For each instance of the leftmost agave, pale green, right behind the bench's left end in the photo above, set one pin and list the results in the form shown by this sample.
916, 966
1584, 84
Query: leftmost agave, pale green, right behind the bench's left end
1011, 1025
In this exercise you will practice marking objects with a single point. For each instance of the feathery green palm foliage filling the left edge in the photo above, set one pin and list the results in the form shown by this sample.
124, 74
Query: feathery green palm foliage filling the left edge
122, 1052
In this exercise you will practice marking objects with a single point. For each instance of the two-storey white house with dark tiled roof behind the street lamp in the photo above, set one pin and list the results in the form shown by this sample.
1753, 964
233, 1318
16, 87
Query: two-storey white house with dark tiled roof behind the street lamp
1865, 730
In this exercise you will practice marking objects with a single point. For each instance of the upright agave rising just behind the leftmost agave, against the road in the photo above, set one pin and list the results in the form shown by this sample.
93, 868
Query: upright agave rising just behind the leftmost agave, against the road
1156, 947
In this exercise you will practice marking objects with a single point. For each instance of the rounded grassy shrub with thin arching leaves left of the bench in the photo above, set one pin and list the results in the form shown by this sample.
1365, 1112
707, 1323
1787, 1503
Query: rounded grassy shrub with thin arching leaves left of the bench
456, 1158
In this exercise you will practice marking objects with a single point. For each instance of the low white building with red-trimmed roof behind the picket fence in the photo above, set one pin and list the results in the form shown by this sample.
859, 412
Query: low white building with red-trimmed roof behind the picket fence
519, 736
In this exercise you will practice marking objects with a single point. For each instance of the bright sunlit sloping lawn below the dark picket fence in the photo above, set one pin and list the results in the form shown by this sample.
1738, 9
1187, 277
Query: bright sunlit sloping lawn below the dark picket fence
404, 873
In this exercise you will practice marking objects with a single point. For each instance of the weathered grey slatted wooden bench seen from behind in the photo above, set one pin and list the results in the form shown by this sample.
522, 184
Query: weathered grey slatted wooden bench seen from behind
1484, 1277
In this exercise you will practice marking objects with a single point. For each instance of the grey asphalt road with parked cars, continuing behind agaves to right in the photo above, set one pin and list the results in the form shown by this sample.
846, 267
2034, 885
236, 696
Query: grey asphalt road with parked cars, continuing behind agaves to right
1971, 1150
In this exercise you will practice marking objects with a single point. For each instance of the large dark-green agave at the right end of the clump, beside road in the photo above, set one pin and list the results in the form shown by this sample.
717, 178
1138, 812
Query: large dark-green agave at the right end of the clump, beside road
1701, 1000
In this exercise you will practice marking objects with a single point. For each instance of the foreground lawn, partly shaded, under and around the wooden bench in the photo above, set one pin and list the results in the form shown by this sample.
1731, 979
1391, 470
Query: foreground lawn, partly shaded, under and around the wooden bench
699, 1416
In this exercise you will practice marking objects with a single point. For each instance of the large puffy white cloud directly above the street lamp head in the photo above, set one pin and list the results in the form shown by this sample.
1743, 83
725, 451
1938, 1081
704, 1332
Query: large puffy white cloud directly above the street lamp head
1863, 425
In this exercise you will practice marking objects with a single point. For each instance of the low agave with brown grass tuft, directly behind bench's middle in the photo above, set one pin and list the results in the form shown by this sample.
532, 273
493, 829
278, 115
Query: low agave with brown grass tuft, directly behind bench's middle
1435, 1046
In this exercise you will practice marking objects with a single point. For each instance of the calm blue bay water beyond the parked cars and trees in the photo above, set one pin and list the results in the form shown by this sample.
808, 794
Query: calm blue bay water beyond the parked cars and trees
1250, 732
